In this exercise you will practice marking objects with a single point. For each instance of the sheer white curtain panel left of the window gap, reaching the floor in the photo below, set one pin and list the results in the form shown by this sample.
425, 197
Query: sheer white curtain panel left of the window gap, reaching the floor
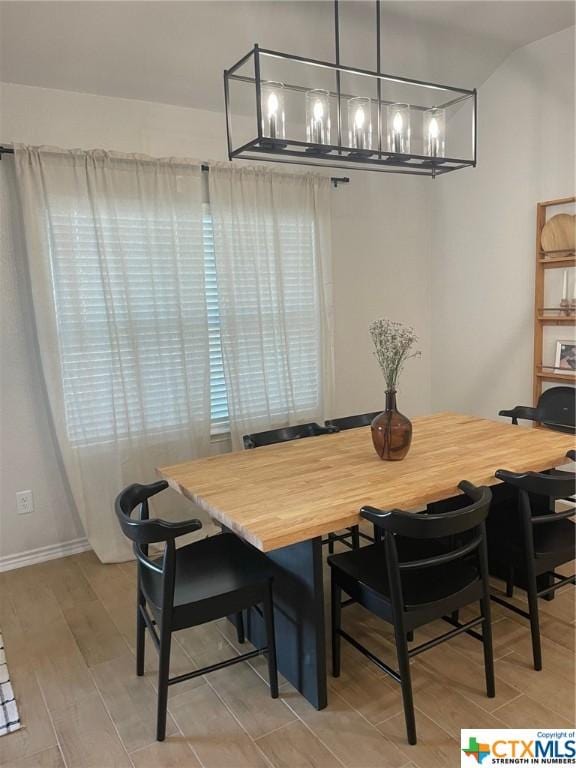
116, 263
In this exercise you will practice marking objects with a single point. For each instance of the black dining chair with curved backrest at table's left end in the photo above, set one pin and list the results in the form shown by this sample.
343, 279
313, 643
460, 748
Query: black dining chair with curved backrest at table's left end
203, 581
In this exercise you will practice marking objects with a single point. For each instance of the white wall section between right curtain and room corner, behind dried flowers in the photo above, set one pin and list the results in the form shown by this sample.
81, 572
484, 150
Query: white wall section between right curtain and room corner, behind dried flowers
382, 261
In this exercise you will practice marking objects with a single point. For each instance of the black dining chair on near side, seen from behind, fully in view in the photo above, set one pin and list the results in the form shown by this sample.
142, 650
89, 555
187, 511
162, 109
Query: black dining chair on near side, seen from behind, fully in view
427, 567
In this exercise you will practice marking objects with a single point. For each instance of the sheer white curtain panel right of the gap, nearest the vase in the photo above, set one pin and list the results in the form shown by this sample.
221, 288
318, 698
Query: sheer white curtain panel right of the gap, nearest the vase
272, 245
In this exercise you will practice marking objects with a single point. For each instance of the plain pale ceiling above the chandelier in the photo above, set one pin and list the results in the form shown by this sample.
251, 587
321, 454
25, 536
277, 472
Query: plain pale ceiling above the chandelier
175, 52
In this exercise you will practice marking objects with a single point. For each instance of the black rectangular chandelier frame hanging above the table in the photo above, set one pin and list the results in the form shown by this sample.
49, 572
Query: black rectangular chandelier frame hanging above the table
262, 148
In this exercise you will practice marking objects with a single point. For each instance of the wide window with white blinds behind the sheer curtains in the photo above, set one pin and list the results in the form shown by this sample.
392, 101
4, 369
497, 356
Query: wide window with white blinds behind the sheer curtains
145, 319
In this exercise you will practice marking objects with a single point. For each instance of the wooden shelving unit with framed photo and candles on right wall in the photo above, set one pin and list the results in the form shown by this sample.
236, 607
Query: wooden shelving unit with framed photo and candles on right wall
544, 316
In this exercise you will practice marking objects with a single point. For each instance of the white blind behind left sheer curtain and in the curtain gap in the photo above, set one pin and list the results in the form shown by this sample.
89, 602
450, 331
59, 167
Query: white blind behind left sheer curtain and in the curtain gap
127, 324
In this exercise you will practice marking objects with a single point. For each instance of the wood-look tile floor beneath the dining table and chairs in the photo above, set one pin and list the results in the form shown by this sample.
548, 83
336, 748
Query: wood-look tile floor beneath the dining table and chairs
68, 627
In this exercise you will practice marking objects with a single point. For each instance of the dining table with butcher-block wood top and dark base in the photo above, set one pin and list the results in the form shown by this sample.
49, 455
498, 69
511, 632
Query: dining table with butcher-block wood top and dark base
284, 498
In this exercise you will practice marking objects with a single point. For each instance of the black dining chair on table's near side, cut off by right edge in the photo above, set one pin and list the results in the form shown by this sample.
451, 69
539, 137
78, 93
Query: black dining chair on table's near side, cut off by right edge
529, 543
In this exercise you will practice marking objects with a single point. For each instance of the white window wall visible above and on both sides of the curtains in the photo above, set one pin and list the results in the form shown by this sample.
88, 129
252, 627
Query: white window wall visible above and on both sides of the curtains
381, 251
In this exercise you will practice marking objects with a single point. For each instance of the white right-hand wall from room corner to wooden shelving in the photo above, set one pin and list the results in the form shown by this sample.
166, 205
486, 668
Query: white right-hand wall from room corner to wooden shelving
484, 231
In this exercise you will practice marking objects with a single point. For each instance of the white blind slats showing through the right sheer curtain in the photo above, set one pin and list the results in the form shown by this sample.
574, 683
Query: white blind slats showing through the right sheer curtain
273, 318
